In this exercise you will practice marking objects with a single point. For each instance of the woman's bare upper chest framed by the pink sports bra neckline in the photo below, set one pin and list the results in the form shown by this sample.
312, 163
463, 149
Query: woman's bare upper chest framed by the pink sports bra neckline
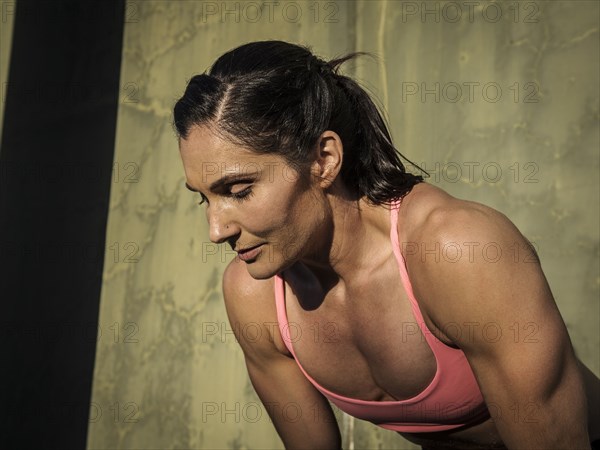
362, 342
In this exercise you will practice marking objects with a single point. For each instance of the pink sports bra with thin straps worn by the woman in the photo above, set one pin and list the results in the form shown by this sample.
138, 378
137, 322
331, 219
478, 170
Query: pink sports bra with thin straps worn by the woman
451, 400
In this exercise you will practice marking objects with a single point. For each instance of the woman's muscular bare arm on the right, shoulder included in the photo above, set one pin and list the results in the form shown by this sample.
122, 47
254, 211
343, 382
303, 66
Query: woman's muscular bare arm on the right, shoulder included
511, 330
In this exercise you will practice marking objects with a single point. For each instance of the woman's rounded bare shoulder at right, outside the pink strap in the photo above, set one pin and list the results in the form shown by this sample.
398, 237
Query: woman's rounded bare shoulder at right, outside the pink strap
461, 256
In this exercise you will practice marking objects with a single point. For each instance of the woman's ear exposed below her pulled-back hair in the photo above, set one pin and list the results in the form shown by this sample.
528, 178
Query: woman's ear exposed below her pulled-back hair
329, 157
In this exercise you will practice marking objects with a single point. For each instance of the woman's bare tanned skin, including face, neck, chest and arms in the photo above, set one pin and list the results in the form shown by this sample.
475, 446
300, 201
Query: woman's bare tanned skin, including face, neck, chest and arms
337, 260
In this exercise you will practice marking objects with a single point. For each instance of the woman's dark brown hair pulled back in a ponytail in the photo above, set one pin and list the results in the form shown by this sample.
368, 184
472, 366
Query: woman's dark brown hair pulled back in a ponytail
277, 97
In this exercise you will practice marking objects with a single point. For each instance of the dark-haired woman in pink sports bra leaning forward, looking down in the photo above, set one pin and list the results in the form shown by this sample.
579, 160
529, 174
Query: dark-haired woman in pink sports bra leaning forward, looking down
398, 303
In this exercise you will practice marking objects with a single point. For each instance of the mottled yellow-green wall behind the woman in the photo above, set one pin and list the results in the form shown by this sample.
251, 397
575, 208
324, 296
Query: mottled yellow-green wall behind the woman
168, 372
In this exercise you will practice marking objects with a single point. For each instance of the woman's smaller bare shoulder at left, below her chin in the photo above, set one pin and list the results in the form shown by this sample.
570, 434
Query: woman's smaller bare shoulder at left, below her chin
251, 309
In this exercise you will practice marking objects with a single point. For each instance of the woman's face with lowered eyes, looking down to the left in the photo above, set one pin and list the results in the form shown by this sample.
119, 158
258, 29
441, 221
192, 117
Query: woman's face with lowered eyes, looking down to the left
255, 200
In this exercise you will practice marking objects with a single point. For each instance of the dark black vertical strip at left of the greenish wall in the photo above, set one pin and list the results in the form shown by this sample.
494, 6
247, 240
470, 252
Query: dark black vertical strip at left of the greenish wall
55, 174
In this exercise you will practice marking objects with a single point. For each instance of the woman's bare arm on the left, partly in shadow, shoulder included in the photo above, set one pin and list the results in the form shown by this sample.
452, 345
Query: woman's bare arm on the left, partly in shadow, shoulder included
301, 415
